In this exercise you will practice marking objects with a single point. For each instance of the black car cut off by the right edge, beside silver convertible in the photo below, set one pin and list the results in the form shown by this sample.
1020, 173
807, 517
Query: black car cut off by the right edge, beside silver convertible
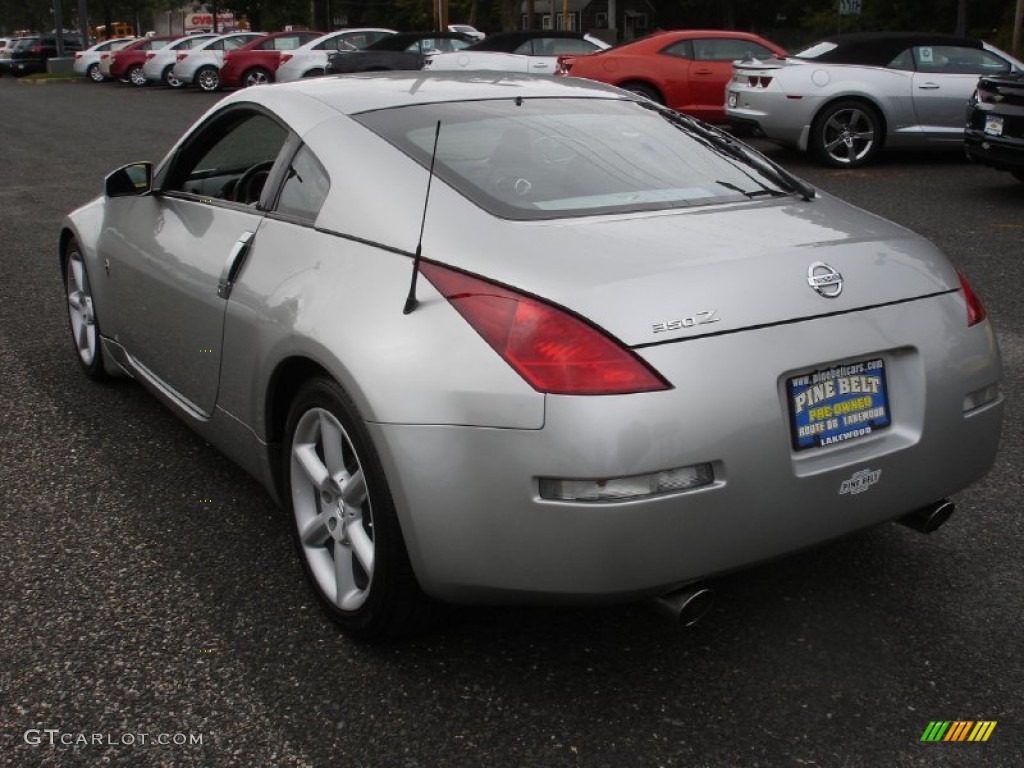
995, 133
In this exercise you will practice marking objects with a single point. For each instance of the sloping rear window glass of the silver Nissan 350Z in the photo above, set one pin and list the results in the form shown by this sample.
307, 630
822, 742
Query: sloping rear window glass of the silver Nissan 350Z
549, 158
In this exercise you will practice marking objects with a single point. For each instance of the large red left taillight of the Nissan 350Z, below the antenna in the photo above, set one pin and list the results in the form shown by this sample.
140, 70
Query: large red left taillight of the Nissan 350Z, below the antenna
554, 352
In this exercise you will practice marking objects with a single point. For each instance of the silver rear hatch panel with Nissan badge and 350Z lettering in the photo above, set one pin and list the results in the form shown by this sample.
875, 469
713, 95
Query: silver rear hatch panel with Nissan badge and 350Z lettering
655, 278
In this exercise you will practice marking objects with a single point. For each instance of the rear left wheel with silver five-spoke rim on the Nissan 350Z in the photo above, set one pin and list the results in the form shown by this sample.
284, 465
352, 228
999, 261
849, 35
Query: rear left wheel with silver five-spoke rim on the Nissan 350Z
347, 530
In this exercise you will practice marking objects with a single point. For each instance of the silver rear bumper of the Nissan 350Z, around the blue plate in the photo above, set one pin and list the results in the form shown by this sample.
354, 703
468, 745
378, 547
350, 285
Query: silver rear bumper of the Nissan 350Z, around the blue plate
478, 529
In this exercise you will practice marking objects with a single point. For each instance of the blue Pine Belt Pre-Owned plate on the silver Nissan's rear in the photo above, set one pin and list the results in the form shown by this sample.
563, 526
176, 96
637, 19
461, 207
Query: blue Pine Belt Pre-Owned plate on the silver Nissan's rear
838, 404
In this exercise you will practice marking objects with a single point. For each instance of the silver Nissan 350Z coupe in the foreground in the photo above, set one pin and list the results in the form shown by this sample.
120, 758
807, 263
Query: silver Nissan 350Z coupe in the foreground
510, 339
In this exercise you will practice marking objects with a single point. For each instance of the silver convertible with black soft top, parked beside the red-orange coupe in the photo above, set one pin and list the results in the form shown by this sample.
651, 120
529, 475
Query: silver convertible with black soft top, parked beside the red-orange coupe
849, 97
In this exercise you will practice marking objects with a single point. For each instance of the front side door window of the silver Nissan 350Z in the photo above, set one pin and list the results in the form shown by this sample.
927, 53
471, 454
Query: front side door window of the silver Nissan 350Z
229, 159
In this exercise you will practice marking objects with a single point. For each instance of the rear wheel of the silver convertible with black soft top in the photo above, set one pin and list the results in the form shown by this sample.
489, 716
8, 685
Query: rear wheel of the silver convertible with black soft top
846, 135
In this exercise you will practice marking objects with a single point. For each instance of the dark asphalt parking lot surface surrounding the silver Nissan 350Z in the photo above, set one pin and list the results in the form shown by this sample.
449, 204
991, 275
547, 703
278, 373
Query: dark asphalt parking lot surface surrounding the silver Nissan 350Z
152, 587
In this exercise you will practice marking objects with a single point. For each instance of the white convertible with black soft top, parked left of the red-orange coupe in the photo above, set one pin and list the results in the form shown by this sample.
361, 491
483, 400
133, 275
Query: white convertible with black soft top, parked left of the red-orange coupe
534, 53
